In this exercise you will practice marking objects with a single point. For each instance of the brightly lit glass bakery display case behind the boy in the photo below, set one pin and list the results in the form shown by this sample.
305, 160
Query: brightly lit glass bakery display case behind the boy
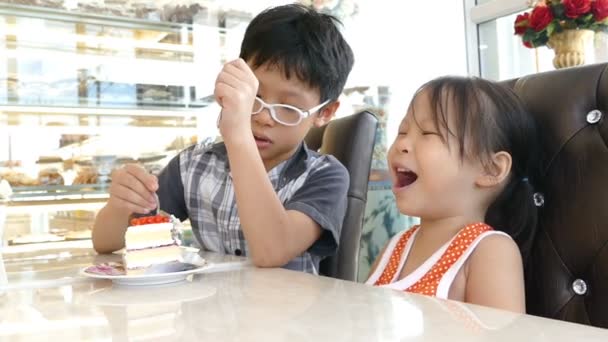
84, 93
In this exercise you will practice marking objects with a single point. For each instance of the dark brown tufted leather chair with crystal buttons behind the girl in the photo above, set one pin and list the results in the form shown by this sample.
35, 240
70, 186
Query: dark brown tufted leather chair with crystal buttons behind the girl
567, 272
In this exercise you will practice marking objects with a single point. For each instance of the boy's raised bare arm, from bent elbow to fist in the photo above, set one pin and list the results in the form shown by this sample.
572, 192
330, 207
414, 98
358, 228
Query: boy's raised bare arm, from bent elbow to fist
274, 235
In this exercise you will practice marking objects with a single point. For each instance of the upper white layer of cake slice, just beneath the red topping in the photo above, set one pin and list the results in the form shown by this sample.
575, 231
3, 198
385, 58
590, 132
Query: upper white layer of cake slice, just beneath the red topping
149, 235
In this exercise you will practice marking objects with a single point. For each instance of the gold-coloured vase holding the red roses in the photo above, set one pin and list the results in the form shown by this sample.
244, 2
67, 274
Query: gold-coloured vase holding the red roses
570, 47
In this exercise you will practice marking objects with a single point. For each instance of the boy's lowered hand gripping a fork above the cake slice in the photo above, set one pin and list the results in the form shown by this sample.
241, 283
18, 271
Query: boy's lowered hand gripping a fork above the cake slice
133, 190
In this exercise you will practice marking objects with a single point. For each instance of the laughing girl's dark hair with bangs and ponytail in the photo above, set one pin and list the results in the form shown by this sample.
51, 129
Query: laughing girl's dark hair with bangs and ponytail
488, 118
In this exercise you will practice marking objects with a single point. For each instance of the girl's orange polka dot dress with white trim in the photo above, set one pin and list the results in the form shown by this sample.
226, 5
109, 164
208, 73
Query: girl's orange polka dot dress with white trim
435, 276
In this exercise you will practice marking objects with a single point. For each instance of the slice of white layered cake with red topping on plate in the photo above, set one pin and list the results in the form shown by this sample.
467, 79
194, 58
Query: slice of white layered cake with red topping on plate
150, 241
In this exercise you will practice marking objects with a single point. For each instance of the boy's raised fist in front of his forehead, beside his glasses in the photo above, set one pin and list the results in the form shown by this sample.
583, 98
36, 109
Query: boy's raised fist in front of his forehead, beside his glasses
235, 90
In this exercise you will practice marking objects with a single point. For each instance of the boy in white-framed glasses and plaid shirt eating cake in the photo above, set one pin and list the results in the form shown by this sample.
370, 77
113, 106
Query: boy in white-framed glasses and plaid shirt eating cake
261, 192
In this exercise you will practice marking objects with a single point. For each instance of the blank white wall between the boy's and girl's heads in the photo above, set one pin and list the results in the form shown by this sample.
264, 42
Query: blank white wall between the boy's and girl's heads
402, 44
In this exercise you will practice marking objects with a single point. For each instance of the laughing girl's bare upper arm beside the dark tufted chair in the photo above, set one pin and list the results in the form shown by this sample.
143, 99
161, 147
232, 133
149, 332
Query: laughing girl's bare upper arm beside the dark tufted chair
495, 275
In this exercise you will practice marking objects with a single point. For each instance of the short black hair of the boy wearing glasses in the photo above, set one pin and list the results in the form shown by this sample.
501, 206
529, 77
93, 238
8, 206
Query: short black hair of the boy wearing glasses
302, 42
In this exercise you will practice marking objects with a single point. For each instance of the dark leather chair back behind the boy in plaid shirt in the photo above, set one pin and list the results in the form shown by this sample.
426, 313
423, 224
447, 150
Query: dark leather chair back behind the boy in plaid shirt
351, 140
